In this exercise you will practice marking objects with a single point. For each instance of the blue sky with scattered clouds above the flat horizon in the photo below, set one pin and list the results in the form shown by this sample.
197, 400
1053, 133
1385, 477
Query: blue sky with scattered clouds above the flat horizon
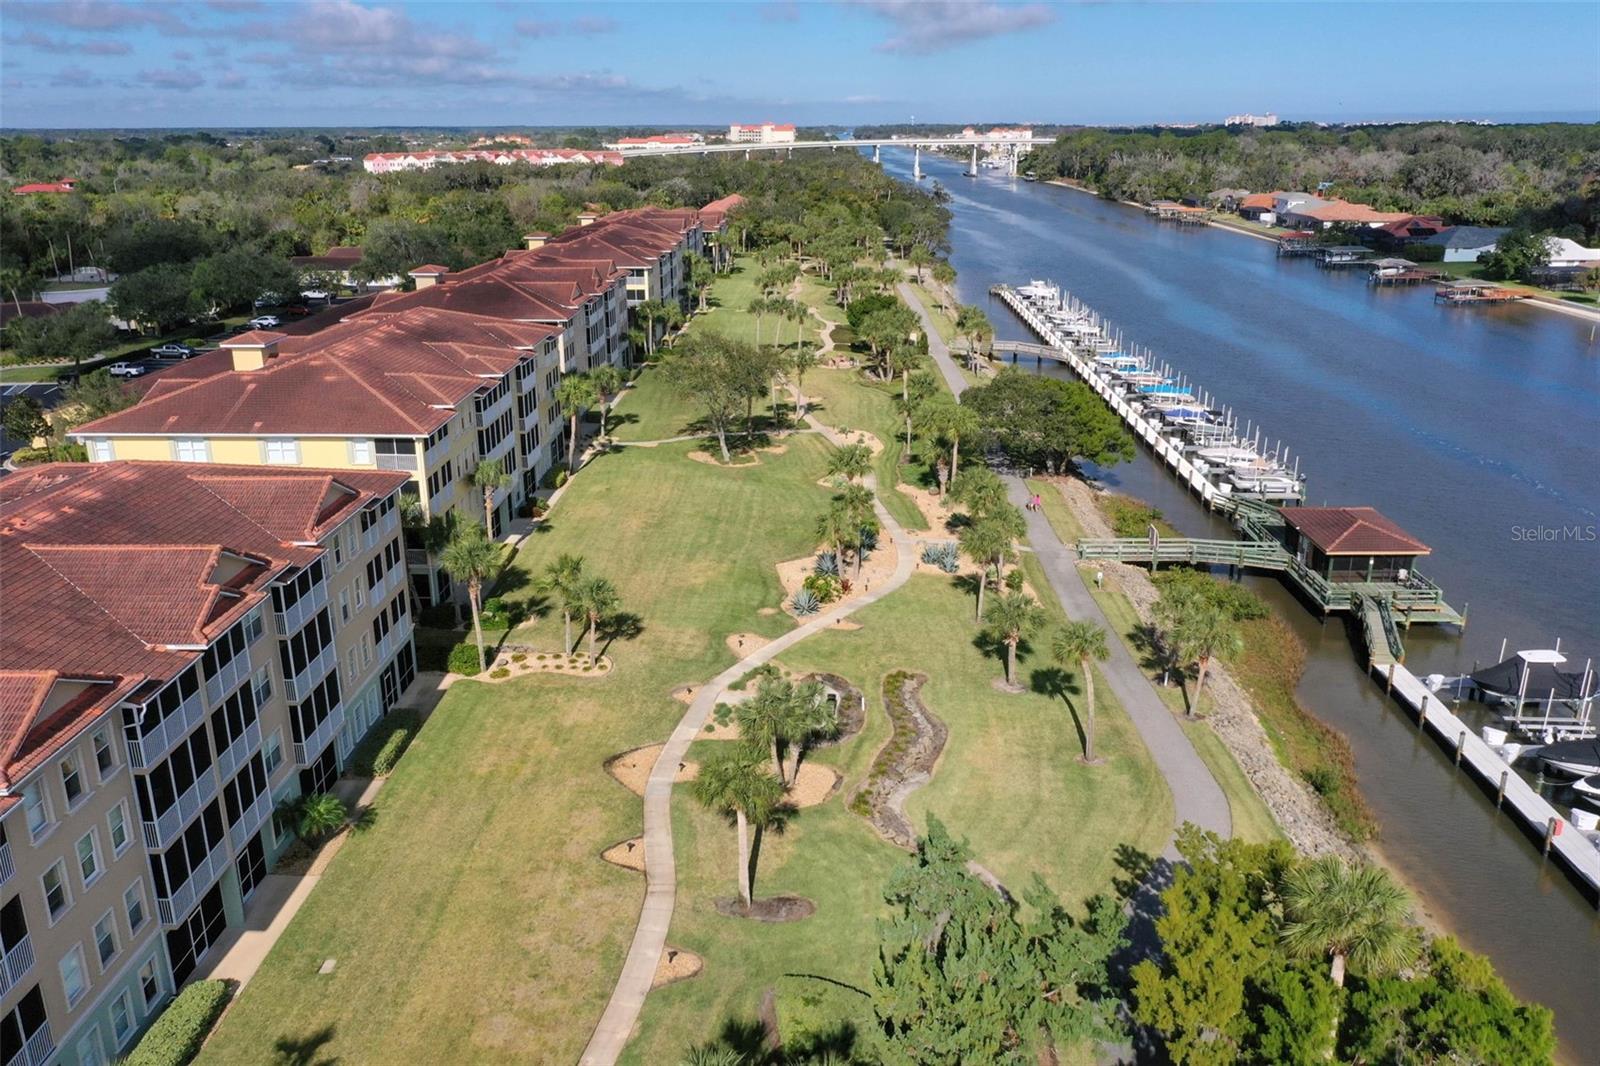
231, 63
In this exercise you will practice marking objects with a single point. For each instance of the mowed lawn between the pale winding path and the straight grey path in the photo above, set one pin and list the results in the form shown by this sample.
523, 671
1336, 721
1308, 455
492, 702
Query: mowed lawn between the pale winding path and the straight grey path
1010, 782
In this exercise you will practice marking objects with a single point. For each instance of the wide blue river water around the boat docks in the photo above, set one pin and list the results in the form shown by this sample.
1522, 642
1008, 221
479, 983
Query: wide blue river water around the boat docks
1478, 430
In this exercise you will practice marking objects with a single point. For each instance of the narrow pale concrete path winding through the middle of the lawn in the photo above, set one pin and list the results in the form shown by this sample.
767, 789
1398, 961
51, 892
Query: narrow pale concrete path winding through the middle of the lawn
655, 918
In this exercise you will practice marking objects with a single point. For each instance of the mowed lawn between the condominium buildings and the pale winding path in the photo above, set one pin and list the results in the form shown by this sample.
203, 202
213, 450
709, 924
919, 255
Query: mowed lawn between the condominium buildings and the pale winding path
476, 921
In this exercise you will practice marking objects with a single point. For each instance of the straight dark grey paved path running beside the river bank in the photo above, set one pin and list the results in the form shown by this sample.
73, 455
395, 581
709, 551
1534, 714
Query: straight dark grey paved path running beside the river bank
1198, 798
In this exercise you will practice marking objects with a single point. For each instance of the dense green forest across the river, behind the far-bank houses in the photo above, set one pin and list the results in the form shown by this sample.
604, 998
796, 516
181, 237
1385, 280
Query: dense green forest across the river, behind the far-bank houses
1535, 177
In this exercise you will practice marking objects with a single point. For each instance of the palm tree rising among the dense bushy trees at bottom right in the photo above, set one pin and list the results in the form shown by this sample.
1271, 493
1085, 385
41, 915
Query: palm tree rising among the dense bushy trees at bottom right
1348, 913
